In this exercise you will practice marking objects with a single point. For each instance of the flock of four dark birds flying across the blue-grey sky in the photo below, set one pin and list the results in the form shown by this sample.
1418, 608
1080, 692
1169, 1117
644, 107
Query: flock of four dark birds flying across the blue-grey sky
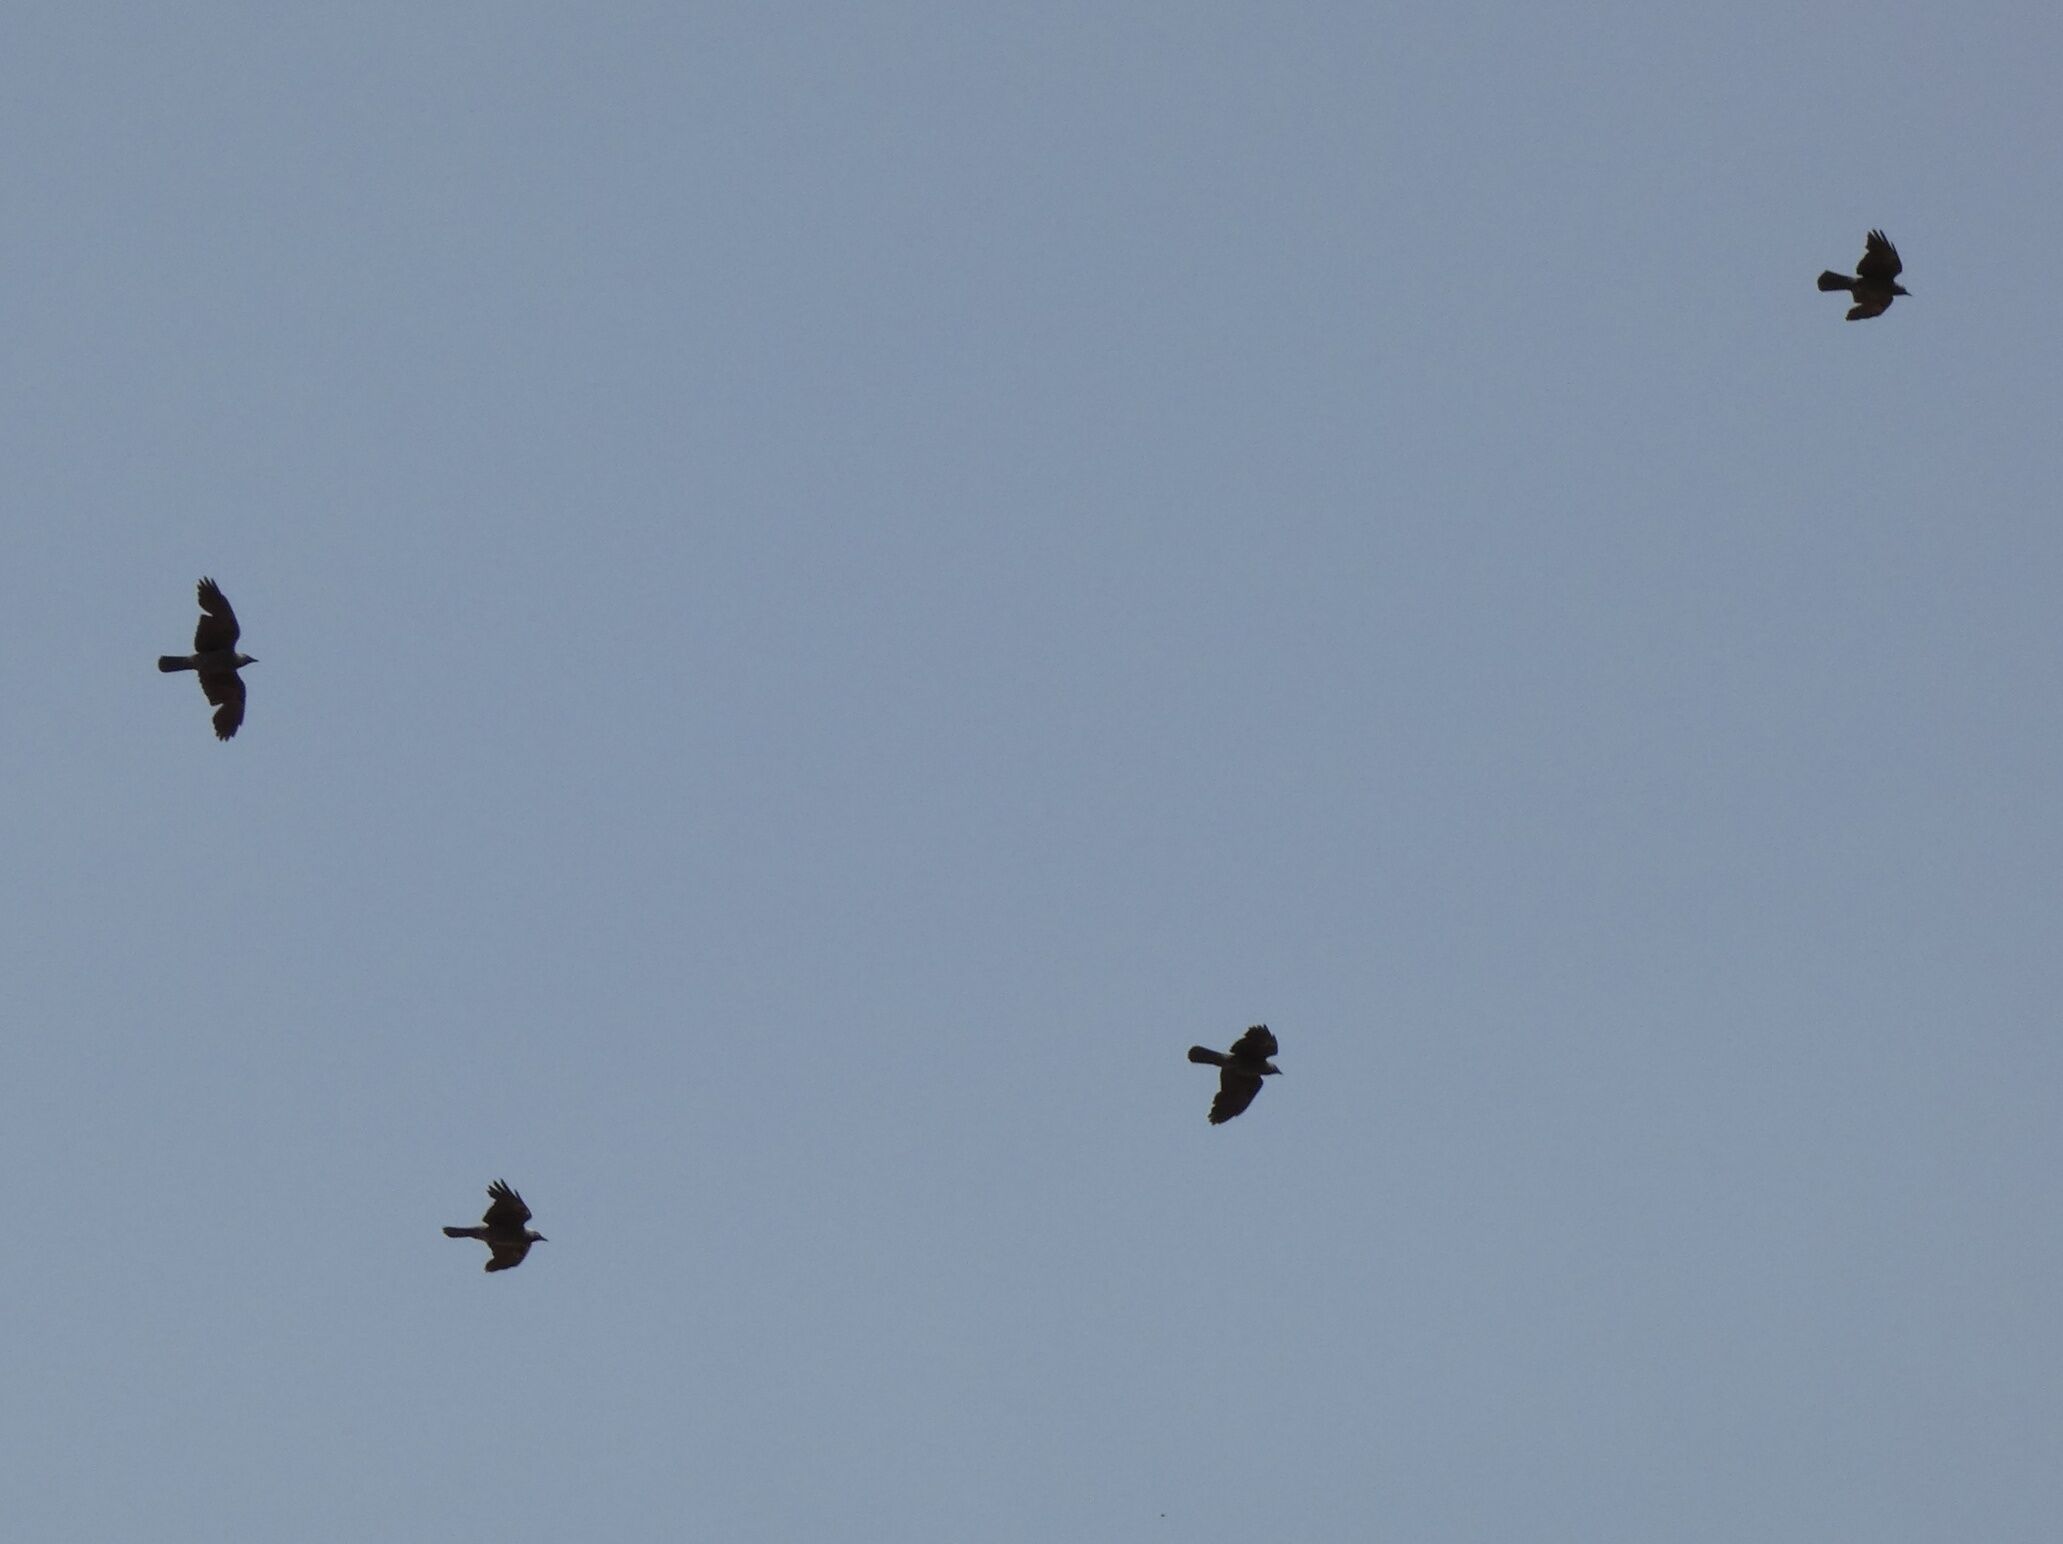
506, 1225
